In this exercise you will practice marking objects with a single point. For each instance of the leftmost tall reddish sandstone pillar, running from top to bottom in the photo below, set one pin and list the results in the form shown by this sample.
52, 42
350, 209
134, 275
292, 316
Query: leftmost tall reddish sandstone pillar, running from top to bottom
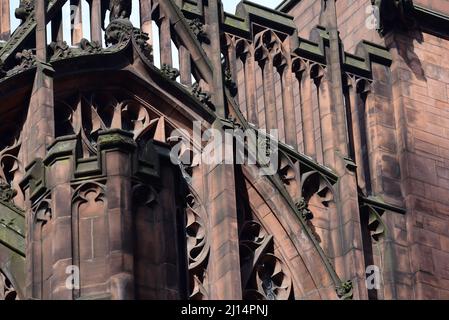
38, 135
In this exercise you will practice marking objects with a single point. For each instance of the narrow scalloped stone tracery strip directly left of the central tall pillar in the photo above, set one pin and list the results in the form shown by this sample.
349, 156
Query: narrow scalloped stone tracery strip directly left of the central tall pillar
198, 248
